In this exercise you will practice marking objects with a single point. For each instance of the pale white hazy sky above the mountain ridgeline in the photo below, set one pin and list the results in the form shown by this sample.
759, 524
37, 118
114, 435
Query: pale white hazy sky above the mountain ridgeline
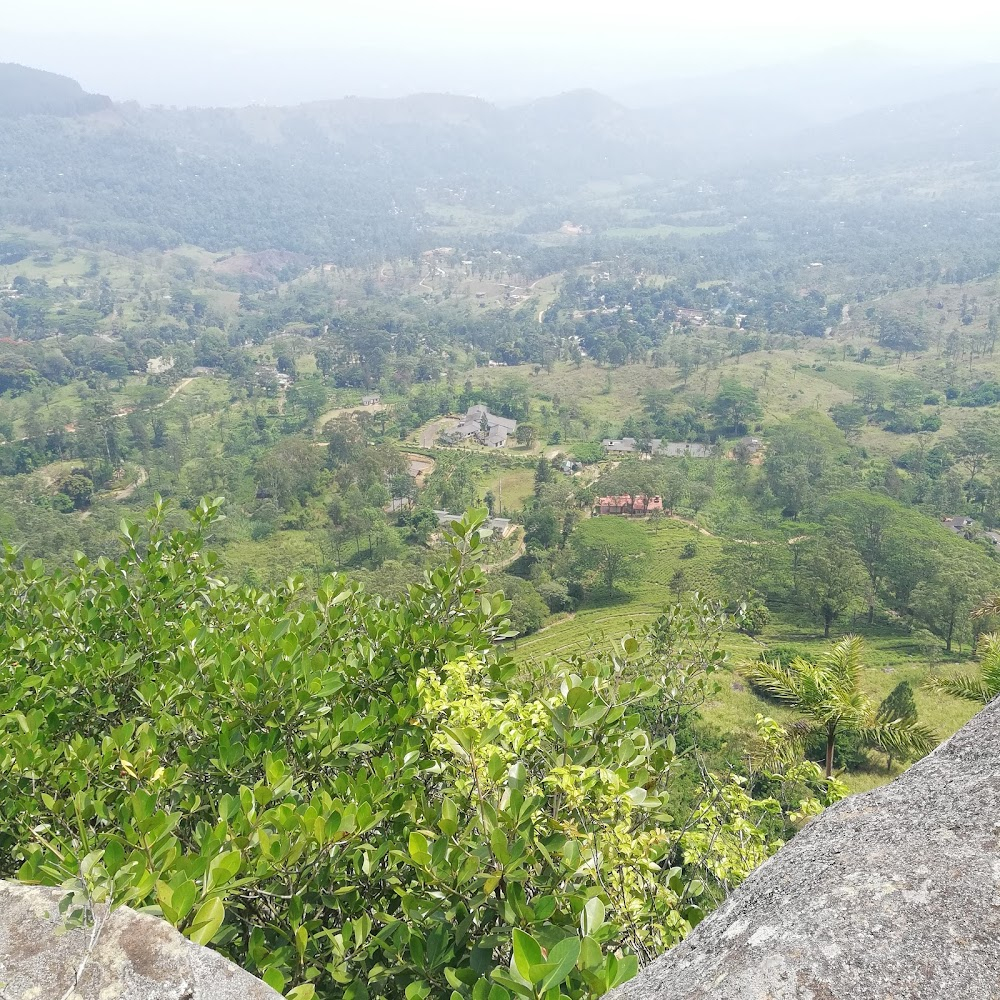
280, 51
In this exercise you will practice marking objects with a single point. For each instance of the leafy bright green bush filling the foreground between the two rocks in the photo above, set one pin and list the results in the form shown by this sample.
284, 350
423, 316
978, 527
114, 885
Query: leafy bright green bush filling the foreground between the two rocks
356, 798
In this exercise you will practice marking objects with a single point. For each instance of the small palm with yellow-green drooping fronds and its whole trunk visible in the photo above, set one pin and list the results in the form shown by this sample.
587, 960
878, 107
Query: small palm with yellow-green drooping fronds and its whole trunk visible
829, 693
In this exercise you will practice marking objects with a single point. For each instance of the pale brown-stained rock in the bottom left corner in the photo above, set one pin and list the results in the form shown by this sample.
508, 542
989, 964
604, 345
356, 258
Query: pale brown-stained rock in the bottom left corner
123, 955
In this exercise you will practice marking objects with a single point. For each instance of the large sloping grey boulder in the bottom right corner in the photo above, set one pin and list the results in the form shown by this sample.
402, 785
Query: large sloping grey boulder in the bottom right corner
890, 895
